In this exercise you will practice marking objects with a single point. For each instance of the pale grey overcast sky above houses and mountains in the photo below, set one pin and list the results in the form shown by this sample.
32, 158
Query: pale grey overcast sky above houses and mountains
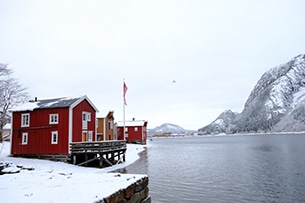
216, 51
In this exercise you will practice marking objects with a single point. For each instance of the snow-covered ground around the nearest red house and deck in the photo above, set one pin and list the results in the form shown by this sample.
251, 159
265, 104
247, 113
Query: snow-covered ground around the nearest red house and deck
61, 182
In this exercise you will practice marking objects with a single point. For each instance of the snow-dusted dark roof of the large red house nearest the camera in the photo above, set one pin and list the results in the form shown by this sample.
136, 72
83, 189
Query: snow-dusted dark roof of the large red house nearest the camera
52, 103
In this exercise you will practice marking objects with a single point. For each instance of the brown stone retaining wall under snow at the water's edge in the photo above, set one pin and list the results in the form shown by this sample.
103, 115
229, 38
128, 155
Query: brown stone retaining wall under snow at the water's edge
135, 193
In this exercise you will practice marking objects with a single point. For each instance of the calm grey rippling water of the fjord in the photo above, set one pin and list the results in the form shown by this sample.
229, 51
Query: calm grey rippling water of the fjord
256, 168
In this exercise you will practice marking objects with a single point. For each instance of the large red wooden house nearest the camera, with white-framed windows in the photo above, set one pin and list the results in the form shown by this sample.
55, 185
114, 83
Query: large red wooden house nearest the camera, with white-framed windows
47, 127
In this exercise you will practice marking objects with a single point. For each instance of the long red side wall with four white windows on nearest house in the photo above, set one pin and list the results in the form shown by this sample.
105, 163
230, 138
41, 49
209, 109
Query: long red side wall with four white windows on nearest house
39, 132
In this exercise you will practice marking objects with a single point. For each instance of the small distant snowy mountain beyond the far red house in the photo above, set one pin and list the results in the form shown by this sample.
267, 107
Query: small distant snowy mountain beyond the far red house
168, 128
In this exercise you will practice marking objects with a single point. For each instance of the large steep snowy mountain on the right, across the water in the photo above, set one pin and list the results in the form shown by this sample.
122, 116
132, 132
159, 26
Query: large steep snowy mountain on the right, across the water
277, 103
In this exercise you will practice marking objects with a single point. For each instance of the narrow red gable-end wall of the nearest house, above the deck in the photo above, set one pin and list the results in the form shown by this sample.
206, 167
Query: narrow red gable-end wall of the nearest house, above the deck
77, 123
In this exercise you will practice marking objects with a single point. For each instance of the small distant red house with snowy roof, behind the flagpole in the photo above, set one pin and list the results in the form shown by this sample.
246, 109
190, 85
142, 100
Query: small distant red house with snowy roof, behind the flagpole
135, 131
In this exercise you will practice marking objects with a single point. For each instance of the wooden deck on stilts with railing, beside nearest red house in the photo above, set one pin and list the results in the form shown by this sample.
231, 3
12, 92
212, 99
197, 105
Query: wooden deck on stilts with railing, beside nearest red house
98, 154
